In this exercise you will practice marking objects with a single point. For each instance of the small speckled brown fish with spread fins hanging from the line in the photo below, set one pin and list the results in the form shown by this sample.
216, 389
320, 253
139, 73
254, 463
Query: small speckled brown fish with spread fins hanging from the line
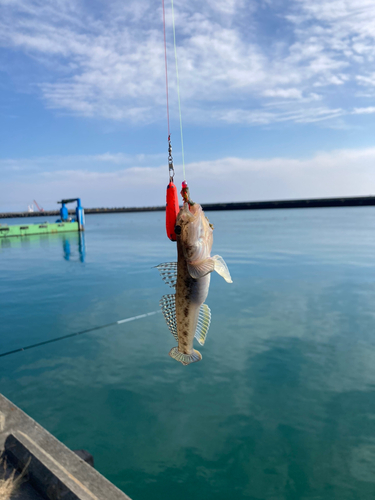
185, 312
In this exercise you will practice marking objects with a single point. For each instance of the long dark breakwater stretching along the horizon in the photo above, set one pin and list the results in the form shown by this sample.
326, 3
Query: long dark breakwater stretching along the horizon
356, 201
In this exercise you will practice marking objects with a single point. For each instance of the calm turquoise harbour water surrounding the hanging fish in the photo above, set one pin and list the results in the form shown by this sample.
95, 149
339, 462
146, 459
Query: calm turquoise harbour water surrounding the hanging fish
282, 405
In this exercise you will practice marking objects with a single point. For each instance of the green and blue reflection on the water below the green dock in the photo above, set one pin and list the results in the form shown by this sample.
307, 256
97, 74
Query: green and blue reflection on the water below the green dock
73, 244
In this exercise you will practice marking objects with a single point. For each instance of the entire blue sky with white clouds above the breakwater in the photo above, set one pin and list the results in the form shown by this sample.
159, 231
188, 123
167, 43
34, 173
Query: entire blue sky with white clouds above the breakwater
278, 100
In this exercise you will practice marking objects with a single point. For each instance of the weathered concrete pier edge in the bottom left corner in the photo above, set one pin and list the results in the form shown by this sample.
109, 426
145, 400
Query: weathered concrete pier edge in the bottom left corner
54, 471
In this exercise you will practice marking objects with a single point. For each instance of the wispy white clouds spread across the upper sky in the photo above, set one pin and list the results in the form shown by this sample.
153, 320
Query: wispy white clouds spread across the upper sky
107, 60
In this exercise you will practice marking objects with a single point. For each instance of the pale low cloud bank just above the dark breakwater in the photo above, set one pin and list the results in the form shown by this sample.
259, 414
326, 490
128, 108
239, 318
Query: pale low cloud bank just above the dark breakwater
117, 180
